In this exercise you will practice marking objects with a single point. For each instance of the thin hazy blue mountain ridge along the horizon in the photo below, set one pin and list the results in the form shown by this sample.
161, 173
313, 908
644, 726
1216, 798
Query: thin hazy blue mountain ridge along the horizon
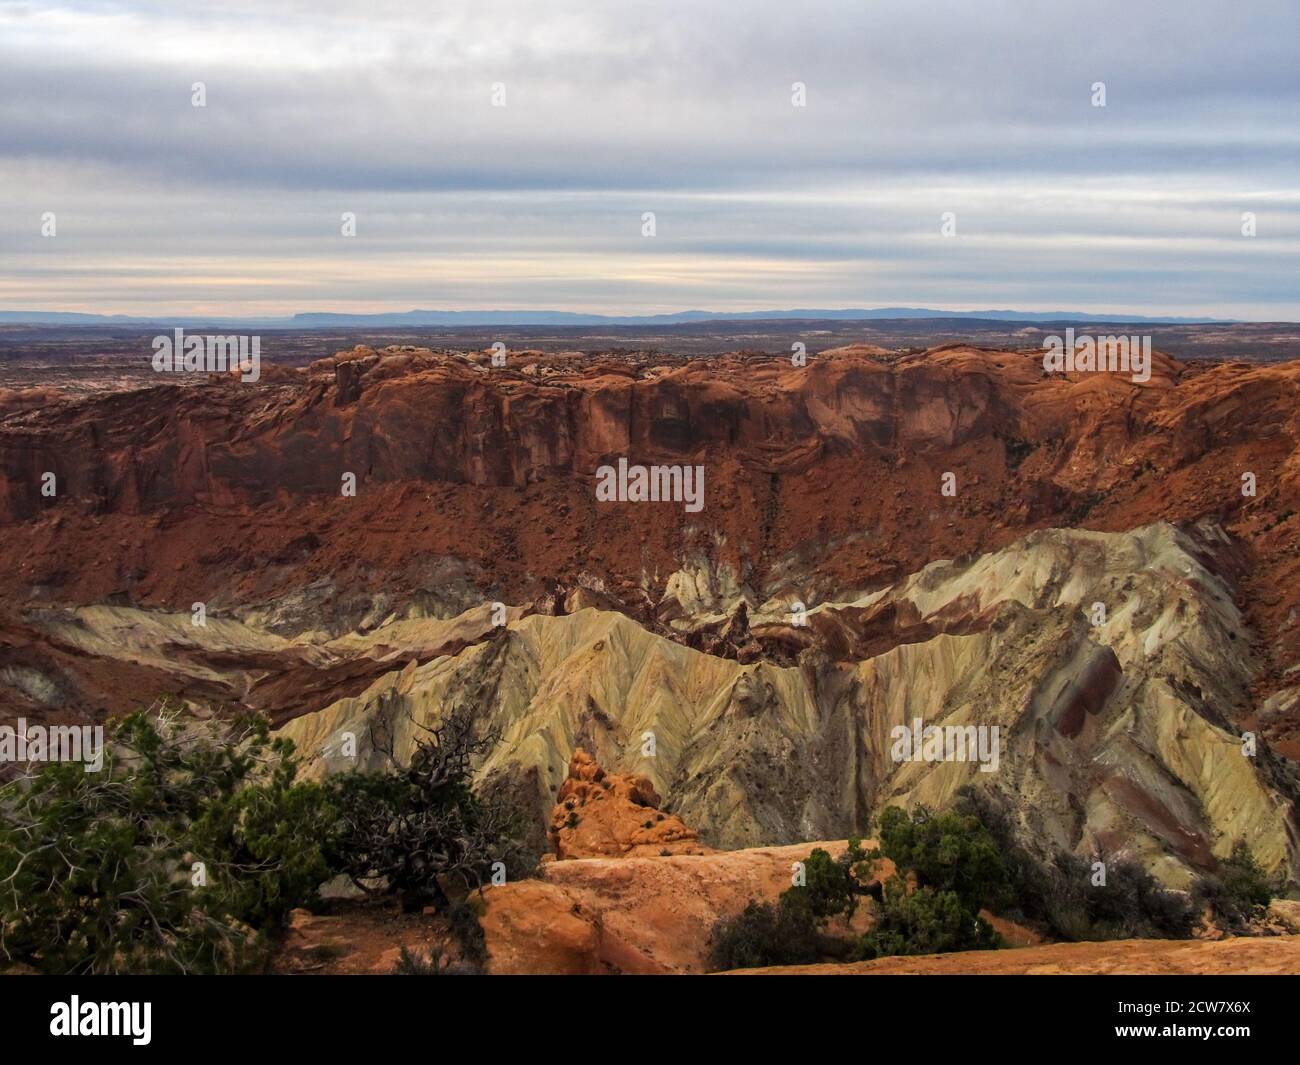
332, 321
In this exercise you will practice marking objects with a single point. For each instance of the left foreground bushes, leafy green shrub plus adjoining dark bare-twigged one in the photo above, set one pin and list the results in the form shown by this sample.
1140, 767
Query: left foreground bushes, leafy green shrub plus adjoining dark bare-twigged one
190, 848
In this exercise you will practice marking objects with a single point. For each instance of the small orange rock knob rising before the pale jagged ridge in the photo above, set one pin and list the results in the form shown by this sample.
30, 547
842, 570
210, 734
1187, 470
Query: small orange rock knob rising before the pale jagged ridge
616, 816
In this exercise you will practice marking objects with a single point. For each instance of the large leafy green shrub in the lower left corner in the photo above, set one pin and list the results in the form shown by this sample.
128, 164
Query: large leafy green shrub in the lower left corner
181, 855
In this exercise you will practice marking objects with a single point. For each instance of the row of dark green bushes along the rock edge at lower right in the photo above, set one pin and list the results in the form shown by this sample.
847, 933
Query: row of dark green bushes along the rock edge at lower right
956, 867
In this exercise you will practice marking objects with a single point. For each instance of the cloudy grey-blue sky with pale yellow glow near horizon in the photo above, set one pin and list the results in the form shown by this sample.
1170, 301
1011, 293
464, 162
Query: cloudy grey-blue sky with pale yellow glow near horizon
915, 111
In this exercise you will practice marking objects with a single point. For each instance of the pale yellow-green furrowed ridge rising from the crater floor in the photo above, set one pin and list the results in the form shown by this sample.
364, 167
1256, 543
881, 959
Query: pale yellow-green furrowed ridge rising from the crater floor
1113, 735
